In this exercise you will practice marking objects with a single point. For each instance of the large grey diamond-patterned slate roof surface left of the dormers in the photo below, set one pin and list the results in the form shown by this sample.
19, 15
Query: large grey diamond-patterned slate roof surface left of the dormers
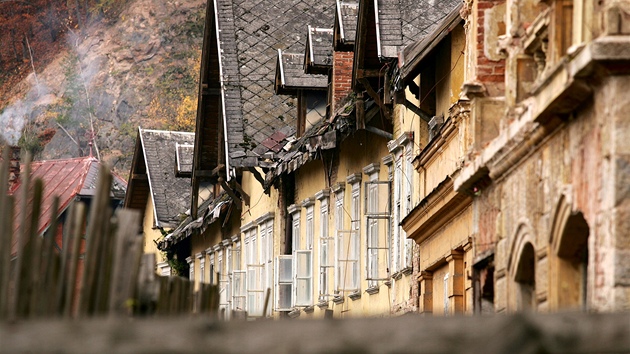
250, 33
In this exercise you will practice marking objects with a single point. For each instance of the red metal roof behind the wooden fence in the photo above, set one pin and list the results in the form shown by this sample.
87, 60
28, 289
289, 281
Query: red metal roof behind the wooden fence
66, 179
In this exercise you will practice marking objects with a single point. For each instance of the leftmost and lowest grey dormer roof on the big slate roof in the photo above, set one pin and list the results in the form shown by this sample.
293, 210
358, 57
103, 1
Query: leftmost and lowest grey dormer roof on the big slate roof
290, 75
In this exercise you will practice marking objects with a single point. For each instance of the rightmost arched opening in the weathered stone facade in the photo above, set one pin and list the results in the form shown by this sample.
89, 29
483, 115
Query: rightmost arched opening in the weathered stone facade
569, 259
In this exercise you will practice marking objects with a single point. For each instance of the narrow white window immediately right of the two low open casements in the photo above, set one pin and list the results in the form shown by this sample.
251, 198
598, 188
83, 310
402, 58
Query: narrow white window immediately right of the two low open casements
326, 253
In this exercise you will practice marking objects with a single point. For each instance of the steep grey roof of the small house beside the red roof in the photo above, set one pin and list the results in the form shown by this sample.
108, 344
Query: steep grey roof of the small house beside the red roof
171, 195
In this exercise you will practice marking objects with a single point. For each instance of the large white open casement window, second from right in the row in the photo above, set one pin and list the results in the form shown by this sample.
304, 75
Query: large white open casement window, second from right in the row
378, 225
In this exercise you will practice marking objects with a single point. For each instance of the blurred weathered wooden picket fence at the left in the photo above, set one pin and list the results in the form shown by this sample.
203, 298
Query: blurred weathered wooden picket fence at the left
110, 276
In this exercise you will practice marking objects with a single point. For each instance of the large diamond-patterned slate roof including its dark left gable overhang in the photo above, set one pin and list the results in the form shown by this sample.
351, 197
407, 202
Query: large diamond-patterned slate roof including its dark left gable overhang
240, 54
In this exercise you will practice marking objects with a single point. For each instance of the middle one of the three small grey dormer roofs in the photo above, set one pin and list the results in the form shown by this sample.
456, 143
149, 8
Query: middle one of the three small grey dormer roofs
319, 50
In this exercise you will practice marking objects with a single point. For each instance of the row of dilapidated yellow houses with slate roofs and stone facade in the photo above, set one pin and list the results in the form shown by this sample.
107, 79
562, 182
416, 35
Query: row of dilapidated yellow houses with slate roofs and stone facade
379, 157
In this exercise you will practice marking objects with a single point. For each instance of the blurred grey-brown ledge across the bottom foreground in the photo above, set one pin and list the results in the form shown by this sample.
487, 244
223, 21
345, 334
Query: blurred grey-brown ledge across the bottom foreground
522, 333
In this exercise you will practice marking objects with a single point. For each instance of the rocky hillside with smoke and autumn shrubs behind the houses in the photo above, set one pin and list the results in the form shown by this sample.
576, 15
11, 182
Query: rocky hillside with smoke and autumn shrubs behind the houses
140, 70
